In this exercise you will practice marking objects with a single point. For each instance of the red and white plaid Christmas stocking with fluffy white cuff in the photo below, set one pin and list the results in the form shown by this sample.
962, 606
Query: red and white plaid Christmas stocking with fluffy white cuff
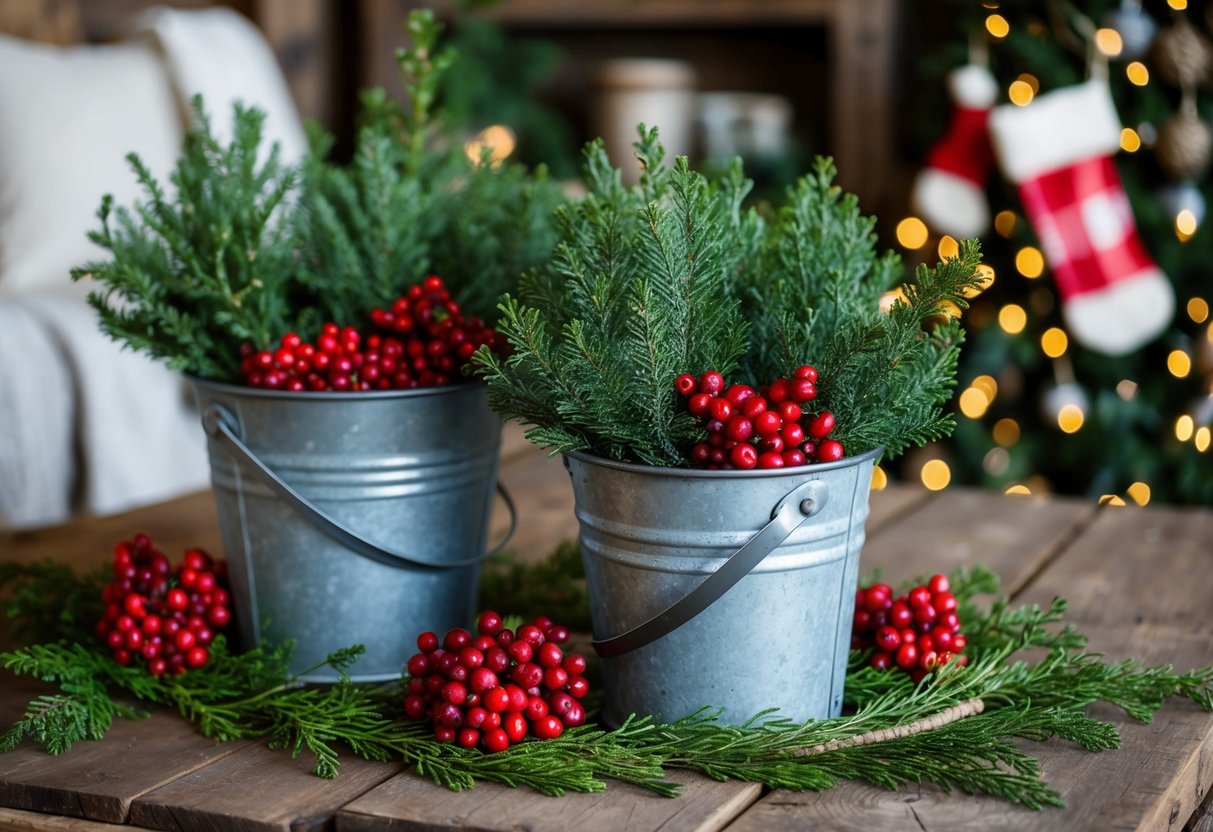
1058, 151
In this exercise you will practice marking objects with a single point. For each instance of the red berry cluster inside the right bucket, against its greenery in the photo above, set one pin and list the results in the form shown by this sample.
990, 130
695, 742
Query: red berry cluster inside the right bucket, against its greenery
764, 429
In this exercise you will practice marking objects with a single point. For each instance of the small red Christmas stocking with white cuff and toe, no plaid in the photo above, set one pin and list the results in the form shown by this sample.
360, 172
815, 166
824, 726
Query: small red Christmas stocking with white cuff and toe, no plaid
950, 192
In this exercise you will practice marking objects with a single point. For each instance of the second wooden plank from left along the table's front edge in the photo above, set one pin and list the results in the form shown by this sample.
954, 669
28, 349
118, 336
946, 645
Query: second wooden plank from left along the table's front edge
259, 789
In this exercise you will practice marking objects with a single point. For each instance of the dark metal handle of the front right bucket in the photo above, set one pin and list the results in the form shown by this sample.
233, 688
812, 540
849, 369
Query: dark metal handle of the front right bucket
794, 510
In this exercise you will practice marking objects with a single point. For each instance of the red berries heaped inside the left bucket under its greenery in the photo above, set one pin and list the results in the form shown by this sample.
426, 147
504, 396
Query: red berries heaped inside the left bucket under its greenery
423, 341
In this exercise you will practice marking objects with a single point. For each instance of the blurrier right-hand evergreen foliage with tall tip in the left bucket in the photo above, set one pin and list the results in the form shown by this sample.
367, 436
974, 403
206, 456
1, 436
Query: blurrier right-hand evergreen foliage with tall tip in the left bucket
414, 203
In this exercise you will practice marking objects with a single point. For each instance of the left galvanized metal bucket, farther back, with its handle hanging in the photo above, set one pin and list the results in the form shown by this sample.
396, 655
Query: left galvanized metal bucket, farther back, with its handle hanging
352, 517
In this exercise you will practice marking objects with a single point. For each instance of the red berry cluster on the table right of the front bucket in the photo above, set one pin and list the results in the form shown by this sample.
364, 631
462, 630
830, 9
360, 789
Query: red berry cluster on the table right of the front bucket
918, 632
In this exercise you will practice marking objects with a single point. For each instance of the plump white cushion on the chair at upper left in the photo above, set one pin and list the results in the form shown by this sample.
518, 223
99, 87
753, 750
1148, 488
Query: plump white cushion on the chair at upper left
69, 118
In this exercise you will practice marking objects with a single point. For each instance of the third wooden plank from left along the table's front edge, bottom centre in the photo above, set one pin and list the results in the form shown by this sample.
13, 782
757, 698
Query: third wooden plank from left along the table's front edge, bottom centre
412, 803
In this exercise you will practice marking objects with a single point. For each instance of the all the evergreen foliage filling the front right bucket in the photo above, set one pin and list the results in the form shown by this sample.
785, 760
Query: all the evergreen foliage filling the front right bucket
675, 276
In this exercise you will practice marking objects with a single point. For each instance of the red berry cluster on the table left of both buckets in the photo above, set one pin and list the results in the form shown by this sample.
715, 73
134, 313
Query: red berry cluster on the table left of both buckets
163, 616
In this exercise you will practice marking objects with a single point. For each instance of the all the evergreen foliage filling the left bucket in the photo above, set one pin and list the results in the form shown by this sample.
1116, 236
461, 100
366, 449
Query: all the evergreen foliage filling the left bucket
238, 250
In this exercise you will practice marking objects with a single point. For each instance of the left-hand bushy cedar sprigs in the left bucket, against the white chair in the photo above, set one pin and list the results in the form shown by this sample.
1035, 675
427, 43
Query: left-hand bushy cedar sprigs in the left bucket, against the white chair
201, 269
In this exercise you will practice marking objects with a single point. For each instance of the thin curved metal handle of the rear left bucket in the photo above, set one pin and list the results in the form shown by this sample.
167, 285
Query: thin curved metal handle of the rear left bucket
218, 423
